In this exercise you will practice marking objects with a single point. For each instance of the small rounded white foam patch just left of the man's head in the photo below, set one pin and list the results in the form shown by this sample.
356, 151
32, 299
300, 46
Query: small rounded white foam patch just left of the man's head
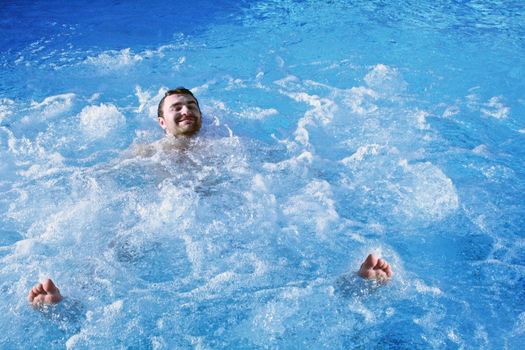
99, 121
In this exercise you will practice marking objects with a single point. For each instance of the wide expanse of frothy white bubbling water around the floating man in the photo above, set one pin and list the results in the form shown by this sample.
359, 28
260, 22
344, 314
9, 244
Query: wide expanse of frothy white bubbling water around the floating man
237, 238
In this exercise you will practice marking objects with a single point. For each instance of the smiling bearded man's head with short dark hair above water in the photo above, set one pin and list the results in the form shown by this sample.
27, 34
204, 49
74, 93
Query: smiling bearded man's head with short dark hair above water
179, 113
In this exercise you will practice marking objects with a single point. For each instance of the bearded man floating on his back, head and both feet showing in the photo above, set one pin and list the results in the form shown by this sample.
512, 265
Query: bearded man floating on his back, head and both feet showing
180, 116
